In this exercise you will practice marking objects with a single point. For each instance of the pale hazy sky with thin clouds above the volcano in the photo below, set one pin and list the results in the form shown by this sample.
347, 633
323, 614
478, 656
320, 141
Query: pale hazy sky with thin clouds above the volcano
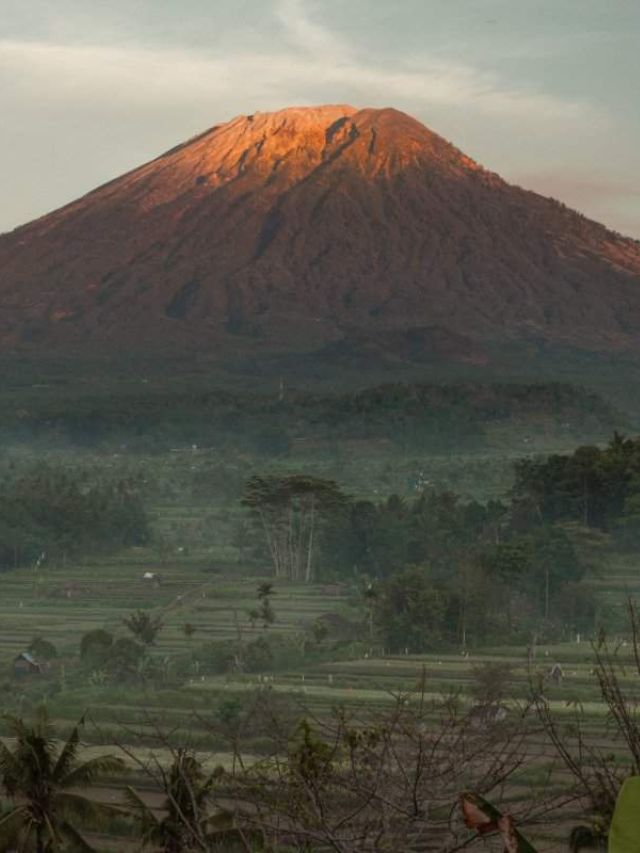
544, 92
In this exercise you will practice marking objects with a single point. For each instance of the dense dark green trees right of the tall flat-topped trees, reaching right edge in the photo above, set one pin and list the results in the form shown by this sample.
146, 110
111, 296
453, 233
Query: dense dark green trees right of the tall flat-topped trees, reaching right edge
449, 570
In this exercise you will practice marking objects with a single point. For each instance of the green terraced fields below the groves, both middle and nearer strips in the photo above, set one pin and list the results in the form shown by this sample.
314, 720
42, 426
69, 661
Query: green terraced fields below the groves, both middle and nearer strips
61, 603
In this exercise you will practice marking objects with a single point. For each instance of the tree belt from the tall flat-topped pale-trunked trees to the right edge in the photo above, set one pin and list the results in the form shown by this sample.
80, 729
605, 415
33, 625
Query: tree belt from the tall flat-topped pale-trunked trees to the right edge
439, 570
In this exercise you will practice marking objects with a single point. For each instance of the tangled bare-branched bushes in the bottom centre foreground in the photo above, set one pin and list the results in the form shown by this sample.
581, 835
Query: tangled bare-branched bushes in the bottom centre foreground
378, 780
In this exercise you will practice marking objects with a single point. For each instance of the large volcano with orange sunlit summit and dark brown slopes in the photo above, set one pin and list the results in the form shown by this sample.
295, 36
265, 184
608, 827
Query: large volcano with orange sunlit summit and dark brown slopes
300, 229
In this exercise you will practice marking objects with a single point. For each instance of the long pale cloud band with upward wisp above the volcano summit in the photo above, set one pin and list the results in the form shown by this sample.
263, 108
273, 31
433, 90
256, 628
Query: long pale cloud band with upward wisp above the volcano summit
318, 65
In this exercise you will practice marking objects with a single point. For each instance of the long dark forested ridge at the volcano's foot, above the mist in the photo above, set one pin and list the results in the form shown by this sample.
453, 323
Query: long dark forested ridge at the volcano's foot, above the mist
431, 418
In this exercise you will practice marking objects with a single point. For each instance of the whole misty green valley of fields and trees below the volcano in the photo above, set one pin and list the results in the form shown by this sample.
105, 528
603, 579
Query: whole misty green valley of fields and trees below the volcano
323, 579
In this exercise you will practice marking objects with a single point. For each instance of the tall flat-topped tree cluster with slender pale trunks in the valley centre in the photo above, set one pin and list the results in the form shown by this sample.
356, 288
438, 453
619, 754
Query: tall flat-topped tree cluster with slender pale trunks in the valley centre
290, 511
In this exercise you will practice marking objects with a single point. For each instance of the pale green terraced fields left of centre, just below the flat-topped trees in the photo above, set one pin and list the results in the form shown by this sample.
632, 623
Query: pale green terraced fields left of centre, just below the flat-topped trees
60, 604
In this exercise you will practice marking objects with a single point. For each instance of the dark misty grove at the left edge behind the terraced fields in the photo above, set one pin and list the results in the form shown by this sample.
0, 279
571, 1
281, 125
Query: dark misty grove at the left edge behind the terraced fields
57, 512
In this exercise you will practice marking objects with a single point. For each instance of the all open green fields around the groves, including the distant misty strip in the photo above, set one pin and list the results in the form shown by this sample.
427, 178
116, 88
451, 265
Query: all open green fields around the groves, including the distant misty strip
203, 549
